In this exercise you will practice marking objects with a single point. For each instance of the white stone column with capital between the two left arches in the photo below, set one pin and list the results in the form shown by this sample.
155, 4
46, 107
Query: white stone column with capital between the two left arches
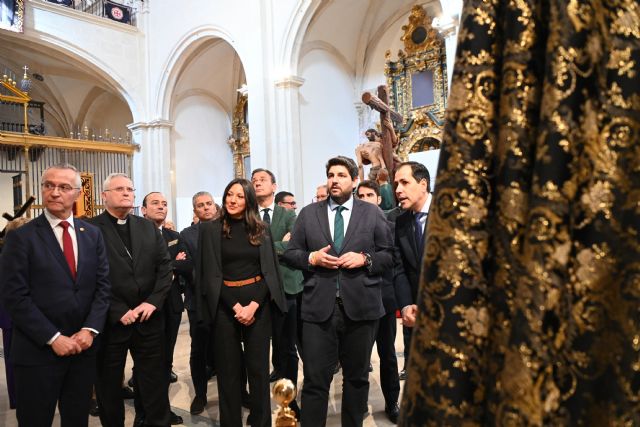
153, 168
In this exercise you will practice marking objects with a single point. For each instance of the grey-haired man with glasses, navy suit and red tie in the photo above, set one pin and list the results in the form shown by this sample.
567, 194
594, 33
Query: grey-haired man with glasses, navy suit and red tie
54, 283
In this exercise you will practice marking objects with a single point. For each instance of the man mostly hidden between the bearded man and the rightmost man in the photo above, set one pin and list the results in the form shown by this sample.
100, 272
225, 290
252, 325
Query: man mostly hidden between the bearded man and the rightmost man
369, 191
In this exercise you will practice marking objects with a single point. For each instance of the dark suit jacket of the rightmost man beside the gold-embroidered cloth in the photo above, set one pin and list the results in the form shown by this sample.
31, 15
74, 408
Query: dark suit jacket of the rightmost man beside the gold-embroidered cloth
407, 276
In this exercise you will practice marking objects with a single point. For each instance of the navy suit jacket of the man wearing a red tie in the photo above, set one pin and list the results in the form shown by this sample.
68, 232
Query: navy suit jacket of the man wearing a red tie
40, 295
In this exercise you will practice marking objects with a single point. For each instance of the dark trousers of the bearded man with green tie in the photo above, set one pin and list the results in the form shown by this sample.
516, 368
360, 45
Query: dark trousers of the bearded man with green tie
338, 338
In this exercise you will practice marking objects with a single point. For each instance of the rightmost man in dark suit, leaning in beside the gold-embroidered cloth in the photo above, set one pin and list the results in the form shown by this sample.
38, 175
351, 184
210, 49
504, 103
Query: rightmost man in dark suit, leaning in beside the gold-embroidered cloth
412, 191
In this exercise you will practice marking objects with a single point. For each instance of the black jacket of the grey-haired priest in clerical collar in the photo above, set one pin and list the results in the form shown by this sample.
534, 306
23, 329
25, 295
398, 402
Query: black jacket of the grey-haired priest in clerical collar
146, 276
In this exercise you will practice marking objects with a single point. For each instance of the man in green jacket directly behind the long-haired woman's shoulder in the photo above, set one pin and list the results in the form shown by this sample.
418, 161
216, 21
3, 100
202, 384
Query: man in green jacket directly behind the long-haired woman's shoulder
284, 327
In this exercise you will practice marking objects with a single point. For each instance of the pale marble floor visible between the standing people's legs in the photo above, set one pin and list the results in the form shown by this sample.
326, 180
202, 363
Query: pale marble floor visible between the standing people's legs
181, 393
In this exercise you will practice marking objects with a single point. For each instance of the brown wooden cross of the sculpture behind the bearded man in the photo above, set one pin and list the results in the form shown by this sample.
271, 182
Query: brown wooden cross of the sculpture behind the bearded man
380, 103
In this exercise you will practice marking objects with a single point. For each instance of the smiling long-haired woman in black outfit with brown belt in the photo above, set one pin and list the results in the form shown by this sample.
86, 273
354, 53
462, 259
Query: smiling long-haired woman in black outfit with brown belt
238, 278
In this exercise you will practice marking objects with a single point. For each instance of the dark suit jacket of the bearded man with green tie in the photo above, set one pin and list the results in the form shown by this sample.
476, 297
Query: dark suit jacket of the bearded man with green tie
360, 289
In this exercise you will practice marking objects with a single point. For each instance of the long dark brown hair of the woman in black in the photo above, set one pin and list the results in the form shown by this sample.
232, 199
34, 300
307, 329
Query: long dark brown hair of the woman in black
254, 226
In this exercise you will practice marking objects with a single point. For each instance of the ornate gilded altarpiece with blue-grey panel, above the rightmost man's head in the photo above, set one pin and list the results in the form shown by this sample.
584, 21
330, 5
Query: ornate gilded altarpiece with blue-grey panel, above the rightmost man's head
417, 83
